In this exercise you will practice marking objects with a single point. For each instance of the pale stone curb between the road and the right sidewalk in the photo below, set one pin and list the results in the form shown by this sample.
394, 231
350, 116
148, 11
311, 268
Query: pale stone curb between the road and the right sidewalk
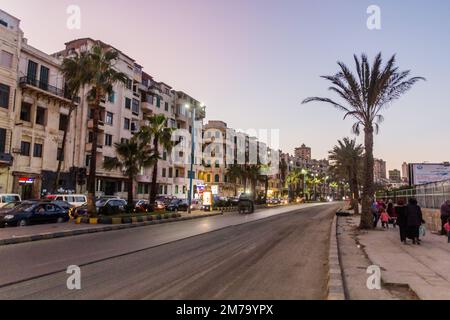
335, 288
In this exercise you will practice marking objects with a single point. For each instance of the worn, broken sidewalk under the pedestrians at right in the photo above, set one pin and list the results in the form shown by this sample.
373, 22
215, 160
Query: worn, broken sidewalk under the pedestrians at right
425, 268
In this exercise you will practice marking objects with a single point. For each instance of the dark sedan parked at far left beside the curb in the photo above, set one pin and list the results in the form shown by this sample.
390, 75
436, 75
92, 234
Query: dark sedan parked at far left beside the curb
29, 213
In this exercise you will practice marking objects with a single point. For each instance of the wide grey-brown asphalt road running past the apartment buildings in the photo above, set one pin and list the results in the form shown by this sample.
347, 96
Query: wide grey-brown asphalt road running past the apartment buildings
279, 257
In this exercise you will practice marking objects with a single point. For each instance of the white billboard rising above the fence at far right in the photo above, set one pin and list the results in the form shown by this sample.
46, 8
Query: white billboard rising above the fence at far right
423, 173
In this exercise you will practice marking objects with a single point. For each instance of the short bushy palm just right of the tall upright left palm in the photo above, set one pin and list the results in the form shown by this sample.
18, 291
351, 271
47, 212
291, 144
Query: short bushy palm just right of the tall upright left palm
131, 157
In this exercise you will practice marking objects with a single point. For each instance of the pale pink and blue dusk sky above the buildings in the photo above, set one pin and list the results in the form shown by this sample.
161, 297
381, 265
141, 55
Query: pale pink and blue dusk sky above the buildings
252, 62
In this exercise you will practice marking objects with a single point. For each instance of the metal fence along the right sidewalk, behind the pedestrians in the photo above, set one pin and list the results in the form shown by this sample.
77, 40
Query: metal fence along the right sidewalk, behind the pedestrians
430, 195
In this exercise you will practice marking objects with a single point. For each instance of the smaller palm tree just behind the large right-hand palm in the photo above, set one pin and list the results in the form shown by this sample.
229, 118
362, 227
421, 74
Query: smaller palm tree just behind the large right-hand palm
347, 158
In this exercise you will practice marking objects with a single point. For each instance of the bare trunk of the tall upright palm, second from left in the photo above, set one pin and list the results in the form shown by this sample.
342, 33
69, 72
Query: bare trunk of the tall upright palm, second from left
93, 163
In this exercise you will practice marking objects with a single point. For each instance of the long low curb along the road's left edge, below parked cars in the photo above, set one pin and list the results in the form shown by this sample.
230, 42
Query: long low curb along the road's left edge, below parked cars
112, 227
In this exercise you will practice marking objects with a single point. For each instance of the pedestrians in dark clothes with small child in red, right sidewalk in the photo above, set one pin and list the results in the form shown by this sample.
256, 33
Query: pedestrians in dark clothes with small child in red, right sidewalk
408, 217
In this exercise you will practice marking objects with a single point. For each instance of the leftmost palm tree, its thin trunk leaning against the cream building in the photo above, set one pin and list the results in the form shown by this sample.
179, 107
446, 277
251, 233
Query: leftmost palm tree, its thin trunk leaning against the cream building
74, 71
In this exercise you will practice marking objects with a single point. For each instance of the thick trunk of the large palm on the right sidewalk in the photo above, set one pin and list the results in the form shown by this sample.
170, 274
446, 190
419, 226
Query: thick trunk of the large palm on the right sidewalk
368, 190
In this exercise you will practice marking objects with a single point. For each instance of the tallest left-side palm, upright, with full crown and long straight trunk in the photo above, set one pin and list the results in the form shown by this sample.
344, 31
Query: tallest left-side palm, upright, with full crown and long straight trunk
101, 76
